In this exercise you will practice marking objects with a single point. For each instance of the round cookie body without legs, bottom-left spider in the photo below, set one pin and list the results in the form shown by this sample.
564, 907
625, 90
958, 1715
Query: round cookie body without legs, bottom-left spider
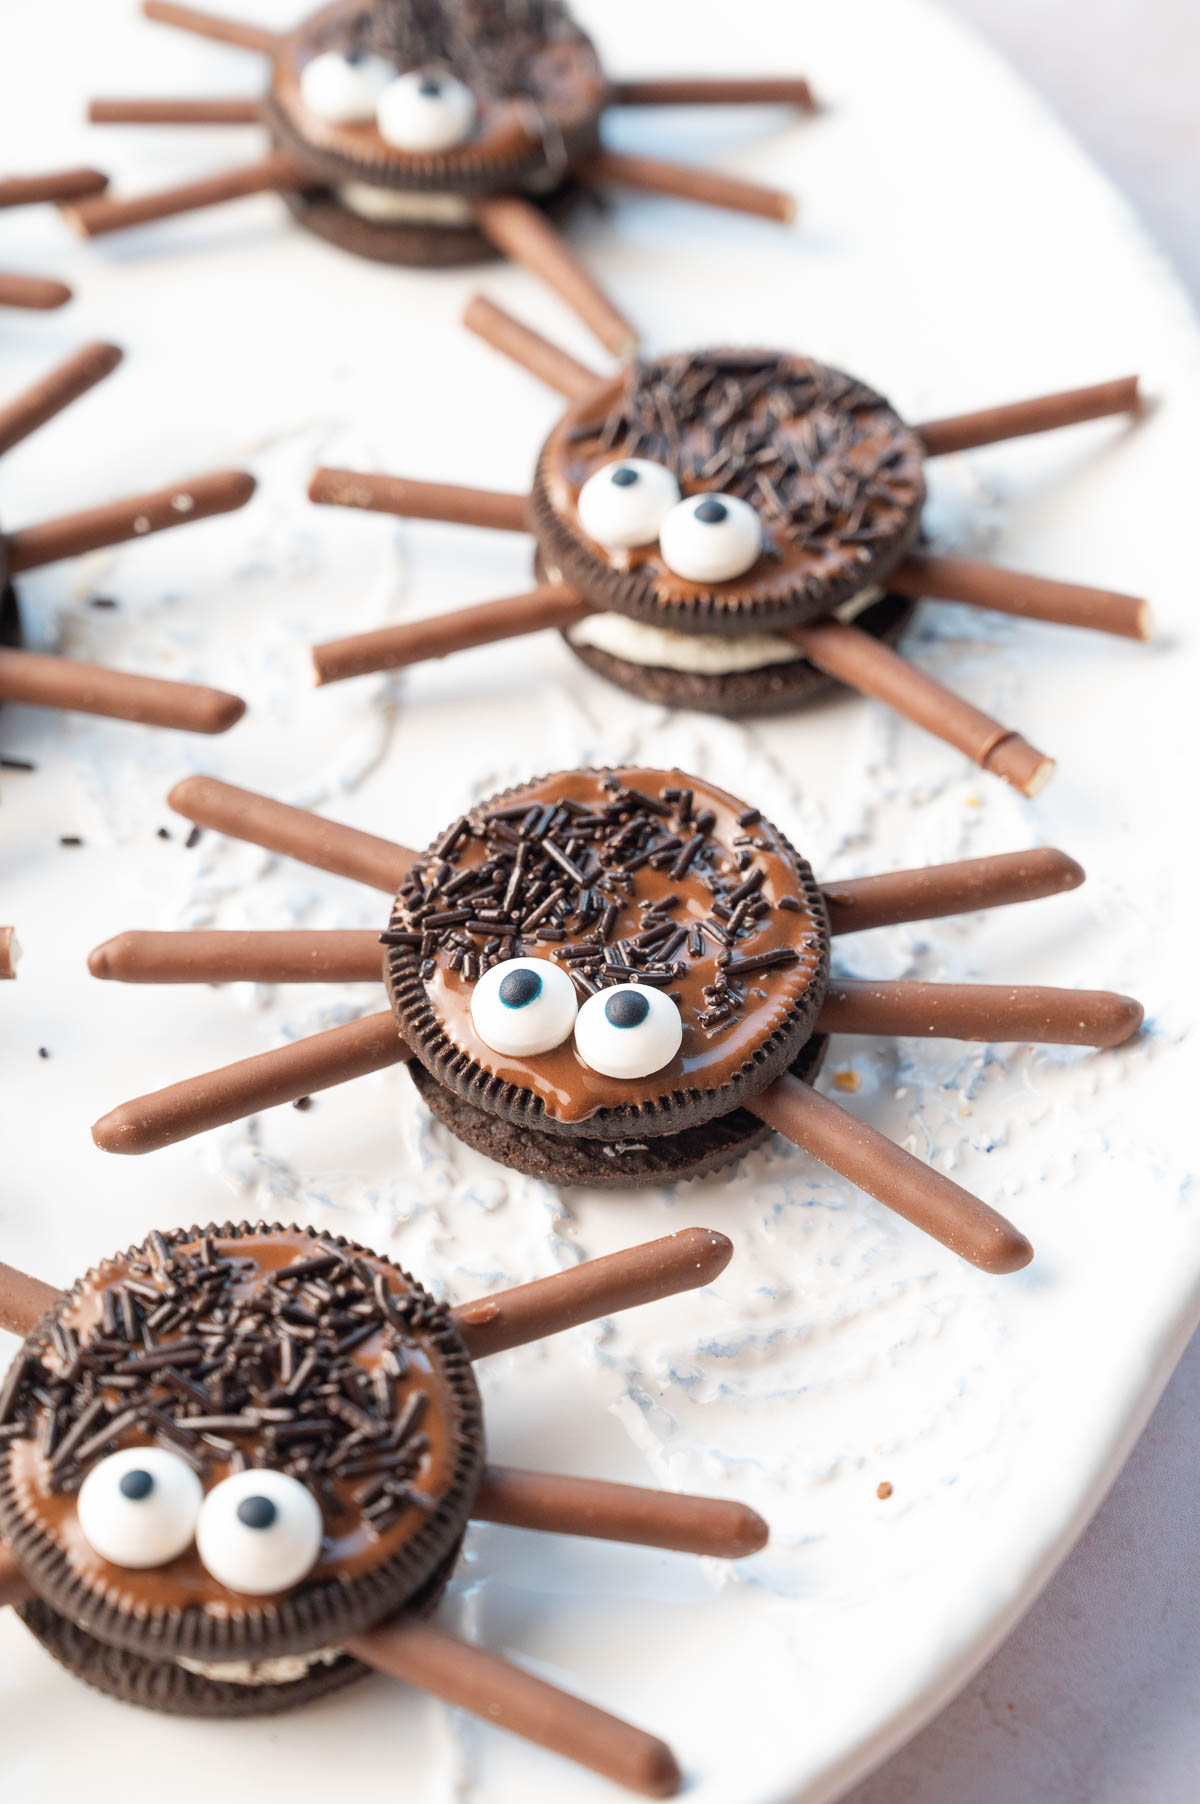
228, 1451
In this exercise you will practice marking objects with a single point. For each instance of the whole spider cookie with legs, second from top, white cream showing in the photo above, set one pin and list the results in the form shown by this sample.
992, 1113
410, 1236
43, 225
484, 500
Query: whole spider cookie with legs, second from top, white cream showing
735, 531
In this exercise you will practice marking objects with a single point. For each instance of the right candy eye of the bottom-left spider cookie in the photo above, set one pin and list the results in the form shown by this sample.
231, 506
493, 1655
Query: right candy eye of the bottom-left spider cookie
259, 1532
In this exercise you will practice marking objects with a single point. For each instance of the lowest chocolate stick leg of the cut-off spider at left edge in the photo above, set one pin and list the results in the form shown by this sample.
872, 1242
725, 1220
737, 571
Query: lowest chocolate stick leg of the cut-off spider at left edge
44, 681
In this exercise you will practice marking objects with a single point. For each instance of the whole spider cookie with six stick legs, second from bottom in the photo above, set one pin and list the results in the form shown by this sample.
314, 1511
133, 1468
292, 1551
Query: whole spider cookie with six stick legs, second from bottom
598, 977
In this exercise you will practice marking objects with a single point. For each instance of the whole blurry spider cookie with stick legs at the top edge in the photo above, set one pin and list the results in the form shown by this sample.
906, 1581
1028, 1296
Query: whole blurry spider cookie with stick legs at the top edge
439, 133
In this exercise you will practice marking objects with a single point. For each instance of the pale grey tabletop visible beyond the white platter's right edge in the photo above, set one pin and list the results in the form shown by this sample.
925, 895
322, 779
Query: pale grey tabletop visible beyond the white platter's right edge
1096, 1698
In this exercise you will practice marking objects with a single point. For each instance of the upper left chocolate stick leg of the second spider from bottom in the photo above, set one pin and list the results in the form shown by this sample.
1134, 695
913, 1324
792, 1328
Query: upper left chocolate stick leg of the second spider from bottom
293, 833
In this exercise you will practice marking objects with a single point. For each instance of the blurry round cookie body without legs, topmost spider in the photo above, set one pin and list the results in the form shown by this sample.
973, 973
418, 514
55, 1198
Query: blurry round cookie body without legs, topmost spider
409, 113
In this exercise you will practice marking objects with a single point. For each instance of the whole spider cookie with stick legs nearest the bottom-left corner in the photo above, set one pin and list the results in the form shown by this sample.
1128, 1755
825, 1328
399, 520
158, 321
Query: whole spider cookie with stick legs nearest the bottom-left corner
237, 1466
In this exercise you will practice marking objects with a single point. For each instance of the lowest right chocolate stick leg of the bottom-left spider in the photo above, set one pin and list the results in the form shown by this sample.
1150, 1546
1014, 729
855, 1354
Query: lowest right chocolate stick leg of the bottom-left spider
506, 1697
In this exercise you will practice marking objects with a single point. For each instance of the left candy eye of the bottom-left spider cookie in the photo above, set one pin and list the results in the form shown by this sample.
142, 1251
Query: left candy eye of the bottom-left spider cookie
140, 1507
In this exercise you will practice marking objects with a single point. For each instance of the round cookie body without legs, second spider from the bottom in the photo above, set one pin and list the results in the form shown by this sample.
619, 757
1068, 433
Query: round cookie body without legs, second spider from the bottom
607, 957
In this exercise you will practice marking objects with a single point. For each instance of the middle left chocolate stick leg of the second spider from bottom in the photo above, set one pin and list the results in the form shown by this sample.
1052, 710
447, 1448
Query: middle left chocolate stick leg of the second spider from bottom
239, 955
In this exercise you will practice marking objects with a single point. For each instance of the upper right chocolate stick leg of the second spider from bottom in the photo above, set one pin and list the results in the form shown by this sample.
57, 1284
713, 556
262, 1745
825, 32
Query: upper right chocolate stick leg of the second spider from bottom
959, 888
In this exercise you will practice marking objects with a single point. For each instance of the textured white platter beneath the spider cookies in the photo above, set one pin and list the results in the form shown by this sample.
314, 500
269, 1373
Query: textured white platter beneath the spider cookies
955, 250
